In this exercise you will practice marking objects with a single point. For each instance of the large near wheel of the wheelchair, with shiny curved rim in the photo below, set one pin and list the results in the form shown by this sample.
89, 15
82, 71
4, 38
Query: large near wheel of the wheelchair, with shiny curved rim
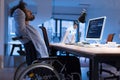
39, 71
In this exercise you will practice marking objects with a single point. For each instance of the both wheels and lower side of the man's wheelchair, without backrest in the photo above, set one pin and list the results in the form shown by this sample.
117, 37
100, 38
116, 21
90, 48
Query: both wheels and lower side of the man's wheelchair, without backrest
38, 70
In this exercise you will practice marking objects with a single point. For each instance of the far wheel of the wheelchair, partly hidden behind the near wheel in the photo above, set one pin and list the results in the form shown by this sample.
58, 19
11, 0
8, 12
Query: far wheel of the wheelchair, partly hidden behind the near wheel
19, 70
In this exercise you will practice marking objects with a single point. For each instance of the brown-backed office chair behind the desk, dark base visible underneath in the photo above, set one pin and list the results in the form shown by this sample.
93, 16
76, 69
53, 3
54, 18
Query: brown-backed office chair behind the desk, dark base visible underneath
113, 76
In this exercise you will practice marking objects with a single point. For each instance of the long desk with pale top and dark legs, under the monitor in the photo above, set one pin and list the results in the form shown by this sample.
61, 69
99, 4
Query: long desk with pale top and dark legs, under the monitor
95, 54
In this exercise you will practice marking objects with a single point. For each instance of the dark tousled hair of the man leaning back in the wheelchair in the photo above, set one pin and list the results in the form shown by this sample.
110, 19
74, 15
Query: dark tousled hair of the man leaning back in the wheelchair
21, 6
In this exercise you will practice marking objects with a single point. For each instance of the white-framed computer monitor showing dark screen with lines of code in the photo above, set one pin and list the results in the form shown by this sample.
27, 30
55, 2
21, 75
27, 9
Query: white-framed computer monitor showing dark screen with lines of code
95, 28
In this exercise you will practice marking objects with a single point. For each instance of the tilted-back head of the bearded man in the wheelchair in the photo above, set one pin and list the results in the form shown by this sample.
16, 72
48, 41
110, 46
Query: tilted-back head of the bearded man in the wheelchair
22, 6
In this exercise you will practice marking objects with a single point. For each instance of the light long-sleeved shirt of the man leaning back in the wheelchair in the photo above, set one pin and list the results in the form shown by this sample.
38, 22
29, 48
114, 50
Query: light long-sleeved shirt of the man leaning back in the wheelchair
29, 32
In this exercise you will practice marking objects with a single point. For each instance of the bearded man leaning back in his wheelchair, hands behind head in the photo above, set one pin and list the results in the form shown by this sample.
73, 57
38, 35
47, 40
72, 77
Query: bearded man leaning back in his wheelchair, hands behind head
35, 48
